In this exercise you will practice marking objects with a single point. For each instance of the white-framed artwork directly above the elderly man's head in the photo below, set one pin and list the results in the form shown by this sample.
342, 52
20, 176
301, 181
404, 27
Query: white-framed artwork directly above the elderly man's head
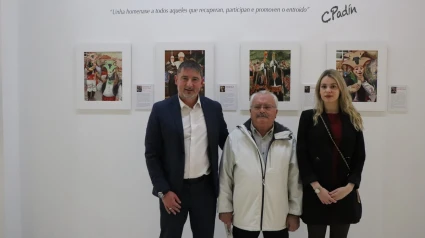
271, 66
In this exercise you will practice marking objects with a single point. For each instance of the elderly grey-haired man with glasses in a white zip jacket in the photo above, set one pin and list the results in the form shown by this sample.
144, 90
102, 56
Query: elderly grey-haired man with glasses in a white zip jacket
259, 178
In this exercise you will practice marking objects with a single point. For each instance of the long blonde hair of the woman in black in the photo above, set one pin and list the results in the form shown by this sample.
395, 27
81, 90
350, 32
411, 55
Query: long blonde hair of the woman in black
344, 100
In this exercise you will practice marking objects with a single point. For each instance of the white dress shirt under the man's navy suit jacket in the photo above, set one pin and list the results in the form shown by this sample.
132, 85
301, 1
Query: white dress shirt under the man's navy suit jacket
195, 141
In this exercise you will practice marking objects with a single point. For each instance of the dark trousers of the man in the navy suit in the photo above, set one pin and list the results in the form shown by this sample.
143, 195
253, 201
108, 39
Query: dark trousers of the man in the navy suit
199, 201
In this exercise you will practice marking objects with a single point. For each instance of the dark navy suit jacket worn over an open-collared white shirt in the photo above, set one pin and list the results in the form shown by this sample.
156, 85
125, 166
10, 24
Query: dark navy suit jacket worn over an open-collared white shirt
164, 143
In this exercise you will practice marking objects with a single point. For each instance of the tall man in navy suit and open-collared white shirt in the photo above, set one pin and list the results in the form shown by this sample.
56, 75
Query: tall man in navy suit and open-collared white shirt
182, 139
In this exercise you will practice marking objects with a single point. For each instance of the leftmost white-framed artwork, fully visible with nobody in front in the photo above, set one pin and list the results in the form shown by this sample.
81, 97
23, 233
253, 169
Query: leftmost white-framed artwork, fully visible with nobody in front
103, 76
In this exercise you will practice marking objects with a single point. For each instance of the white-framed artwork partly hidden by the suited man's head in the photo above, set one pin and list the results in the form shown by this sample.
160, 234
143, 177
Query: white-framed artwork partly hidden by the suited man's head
169, 56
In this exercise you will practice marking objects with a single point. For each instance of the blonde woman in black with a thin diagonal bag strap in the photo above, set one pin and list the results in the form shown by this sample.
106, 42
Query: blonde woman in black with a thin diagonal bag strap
331, 155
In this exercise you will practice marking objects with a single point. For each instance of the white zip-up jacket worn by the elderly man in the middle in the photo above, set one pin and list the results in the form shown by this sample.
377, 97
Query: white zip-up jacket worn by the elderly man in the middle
243, 190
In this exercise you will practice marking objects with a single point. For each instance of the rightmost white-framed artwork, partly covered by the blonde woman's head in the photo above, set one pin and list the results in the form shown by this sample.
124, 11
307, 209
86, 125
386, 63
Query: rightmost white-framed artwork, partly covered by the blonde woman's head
363, 67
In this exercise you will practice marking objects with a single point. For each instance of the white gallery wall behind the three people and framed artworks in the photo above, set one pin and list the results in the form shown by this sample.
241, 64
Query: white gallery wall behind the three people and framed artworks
84, 174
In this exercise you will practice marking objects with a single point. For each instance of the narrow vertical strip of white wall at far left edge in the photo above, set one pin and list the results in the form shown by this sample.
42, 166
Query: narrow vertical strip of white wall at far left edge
9, 20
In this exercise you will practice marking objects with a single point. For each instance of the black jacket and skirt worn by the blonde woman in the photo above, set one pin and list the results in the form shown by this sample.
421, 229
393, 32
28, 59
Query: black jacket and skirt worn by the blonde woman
314, 154
